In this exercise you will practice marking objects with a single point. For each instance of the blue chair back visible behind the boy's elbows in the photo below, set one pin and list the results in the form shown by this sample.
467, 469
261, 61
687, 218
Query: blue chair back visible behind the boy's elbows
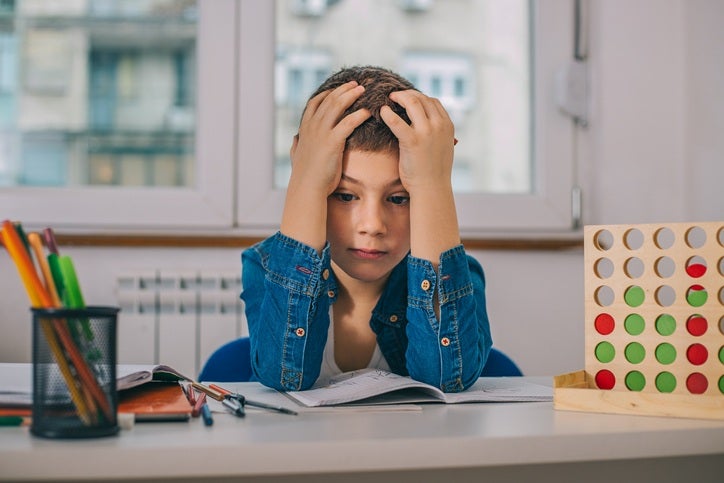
232, 363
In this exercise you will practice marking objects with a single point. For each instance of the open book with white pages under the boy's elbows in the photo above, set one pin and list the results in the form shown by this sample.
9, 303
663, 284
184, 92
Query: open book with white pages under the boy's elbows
375, 386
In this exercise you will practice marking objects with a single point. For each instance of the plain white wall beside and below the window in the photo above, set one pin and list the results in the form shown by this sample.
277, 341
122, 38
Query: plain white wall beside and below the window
654, 152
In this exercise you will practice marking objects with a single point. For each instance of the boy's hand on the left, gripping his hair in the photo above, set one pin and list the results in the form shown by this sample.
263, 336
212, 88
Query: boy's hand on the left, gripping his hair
316, 152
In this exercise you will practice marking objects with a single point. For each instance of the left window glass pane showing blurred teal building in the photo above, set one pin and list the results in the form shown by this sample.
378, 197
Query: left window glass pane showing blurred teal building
97, 92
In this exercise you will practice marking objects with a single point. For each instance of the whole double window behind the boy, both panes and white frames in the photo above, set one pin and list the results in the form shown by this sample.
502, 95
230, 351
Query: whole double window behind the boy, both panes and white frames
167, 115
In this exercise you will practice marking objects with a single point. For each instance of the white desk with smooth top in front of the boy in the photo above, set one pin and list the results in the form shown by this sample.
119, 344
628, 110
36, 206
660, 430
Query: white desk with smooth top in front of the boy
449, 443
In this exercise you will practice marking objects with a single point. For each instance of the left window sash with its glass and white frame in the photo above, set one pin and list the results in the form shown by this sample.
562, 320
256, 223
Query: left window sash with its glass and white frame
107, 122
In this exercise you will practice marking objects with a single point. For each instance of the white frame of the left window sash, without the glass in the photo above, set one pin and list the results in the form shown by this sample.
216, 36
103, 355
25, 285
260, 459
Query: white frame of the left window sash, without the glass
207, 205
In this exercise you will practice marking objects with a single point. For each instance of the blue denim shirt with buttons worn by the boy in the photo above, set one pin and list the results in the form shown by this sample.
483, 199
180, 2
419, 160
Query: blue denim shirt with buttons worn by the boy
288, 288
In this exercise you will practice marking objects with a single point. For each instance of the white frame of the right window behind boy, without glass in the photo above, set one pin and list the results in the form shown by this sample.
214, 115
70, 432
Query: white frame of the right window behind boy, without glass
548, 210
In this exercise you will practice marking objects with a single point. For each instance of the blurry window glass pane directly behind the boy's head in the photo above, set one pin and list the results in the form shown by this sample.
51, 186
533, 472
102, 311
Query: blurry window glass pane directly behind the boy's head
475, 56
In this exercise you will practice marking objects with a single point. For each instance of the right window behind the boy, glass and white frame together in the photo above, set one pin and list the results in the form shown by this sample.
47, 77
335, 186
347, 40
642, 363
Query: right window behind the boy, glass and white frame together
492, 63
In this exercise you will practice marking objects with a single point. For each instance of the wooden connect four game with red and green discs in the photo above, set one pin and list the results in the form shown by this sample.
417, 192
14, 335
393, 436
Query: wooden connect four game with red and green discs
654, 322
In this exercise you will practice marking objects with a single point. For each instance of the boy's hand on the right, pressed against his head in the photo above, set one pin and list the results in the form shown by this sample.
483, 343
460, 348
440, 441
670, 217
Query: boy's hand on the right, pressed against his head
426, 145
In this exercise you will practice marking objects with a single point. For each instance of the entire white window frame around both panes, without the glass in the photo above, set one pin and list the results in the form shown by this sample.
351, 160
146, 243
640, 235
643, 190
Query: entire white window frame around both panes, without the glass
234, 193
